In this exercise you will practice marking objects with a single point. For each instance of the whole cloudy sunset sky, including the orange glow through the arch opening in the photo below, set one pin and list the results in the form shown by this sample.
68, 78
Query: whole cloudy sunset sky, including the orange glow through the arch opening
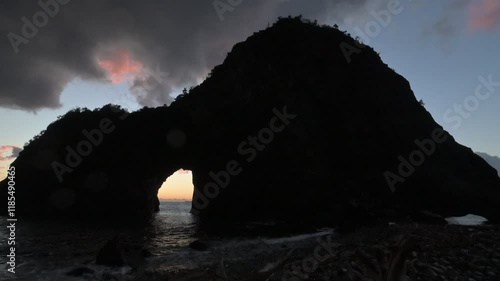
60, 54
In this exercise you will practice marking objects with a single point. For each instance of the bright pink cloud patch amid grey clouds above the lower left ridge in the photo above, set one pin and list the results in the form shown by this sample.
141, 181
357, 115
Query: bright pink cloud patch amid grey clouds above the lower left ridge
118, 65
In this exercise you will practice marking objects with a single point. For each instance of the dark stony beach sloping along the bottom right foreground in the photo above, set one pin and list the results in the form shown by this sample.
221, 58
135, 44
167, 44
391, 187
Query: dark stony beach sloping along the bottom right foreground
384, 252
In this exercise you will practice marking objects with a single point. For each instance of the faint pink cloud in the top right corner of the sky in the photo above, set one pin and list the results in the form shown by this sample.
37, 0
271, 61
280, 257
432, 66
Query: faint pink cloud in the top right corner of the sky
483, 14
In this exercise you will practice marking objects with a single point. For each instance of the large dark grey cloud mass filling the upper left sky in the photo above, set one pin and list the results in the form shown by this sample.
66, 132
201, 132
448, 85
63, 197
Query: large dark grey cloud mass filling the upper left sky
182, 38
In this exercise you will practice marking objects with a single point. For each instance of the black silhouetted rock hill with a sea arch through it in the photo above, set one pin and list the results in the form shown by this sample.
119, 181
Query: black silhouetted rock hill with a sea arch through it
285, 128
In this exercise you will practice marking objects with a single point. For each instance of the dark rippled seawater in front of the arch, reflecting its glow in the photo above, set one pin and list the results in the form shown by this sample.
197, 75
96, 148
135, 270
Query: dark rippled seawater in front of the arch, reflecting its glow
47, 250
